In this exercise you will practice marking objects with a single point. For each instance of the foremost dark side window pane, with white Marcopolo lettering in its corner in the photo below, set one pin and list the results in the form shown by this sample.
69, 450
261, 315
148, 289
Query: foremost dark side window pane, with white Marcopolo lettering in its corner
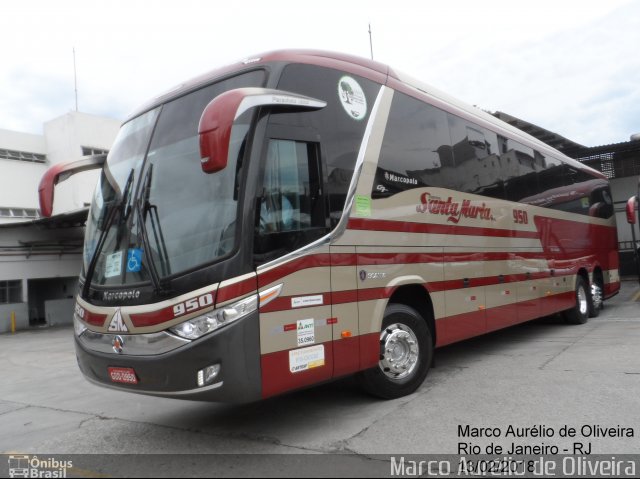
416, 149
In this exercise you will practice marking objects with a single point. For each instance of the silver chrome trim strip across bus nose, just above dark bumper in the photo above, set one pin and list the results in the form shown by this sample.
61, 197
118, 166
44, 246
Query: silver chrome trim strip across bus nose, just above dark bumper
134, 344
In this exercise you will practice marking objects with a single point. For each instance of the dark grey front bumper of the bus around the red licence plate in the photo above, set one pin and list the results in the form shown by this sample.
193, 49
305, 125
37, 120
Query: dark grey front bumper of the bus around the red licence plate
174, 374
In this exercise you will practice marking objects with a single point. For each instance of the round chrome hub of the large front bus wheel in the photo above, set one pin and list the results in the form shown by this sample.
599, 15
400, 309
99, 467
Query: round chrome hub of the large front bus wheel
400, 351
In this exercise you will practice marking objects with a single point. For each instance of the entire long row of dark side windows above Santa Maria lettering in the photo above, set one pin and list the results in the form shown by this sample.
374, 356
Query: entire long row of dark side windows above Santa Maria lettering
424, 146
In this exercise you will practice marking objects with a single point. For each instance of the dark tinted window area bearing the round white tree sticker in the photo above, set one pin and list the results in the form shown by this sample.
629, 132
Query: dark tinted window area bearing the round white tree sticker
339, 132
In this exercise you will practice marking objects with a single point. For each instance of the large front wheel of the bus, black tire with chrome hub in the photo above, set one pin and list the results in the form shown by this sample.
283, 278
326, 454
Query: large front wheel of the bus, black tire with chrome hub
406, 352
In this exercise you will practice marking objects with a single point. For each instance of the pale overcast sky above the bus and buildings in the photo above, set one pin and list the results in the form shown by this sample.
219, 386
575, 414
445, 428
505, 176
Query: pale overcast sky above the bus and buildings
572, 67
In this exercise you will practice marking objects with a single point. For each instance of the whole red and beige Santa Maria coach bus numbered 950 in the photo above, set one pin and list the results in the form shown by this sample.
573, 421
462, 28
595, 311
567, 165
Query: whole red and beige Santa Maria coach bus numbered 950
302, 215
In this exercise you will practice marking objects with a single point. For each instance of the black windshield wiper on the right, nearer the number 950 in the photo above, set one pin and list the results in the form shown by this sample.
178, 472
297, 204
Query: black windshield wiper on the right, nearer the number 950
142, 207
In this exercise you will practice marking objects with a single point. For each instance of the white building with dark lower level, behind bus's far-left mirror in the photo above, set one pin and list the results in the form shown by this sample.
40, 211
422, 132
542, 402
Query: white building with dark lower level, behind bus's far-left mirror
40, 258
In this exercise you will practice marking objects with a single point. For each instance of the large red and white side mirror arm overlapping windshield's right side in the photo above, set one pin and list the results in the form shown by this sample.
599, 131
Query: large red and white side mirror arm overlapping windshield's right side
218, 117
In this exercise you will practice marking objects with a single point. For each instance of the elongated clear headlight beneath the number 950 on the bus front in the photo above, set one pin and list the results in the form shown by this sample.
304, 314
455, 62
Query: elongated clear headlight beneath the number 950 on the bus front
213, 320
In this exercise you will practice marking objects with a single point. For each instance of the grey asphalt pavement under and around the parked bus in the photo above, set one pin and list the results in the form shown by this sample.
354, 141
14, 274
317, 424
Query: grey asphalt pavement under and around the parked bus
524, 387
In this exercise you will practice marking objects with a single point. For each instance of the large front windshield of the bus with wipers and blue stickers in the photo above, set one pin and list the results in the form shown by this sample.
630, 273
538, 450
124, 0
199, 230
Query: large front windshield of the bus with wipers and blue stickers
154, 211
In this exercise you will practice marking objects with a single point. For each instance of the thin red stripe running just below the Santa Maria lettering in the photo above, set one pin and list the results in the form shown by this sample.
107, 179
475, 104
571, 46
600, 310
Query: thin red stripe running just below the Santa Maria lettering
430, 228
